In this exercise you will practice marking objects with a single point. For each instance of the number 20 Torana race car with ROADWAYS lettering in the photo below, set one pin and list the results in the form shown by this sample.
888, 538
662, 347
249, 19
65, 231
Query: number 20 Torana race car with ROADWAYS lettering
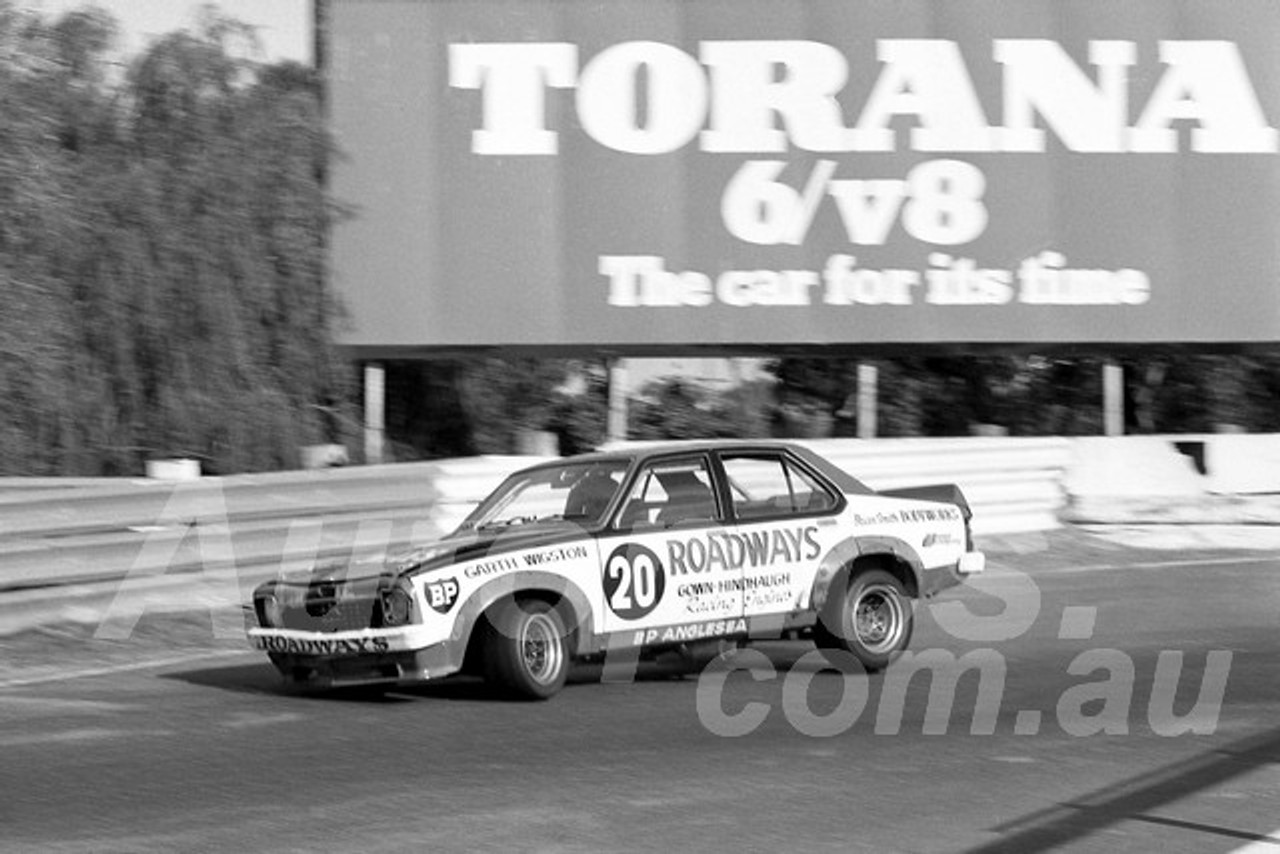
641, 550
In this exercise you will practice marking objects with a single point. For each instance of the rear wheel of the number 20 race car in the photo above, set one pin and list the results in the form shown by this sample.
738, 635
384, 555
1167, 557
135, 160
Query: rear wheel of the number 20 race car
872, 619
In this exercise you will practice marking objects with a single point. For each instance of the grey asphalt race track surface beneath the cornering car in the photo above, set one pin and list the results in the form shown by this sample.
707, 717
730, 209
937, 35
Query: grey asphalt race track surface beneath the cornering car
173, 741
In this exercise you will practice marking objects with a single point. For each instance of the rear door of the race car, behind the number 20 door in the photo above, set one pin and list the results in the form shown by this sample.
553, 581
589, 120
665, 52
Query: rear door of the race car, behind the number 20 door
784, 518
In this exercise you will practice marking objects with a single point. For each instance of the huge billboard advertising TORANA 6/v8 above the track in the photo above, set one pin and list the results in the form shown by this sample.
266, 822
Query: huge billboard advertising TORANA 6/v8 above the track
630, 175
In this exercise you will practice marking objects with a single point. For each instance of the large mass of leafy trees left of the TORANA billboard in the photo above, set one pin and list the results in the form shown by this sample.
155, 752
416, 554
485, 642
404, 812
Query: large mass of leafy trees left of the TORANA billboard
162, 254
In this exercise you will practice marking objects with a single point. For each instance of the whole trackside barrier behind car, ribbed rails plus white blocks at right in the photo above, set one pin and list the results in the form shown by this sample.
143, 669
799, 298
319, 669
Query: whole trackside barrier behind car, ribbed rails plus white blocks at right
54, 535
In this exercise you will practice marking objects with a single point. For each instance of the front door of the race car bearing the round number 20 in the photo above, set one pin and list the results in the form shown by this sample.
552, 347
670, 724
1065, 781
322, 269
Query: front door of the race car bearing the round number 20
668, 574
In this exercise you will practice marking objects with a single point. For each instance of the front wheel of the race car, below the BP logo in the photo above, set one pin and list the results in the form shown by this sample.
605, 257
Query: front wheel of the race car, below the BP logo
527, 654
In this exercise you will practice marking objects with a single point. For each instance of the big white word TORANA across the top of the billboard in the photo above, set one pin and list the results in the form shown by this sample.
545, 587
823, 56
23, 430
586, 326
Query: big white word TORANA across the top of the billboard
766, 97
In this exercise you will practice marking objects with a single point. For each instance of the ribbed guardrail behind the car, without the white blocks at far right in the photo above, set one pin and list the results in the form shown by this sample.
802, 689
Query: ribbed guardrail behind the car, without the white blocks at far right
106, 531
